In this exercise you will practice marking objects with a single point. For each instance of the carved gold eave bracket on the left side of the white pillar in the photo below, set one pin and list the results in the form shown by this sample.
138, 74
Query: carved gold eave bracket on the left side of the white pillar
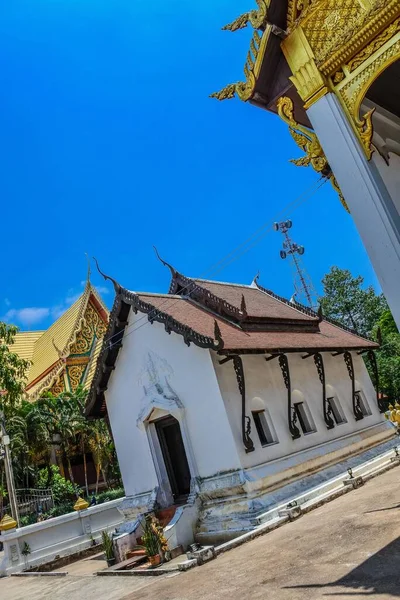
309, 143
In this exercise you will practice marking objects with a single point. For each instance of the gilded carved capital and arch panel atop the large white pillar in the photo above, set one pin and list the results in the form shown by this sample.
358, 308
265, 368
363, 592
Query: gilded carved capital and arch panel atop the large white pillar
342, 46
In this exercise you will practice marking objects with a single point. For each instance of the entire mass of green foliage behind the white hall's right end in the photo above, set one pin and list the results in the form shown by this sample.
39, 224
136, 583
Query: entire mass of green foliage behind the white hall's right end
346, 300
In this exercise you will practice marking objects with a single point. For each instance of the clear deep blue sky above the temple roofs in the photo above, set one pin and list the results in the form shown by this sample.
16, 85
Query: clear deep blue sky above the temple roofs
110, 144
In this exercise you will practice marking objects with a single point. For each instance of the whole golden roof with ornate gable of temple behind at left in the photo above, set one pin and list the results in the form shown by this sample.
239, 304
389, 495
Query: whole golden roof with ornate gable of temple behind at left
61, 356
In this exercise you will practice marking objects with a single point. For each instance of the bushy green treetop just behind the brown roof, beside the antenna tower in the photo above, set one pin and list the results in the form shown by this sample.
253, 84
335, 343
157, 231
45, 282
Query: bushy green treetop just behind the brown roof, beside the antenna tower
346, 300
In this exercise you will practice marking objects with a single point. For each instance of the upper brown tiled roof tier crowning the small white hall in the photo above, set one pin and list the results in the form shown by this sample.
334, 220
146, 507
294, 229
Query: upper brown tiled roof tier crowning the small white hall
259, 304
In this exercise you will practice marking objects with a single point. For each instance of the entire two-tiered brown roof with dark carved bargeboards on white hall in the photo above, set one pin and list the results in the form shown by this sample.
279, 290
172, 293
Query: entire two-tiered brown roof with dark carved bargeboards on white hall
225, 317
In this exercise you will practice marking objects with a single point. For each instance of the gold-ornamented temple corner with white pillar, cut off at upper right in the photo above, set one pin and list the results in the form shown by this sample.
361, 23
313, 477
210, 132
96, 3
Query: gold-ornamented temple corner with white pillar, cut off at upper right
331, 70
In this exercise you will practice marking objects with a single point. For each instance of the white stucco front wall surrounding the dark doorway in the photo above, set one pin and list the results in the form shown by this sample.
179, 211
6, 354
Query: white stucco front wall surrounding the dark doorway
192, 378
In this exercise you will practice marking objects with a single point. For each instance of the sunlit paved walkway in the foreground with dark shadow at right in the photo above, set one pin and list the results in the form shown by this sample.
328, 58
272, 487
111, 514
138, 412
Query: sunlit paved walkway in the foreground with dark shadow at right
347, 548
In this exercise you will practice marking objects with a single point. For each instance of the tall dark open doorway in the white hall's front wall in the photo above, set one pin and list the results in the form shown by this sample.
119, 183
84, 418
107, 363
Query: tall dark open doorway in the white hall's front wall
173, 450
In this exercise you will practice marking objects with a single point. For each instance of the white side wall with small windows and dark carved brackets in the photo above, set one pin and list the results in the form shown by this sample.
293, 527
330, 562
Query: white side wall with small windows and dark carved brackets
264, 382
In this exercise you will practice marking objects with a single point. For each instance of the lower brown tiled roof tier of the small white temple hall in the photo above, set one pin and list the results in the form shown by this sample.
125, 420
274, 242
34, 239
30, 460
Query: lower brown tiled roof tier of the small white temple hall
330, 337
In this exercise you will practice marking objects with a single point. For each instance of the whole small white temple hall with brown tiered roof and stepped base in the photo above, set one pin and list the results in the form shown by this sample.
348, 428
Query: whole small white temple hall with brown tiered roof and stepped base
222, 398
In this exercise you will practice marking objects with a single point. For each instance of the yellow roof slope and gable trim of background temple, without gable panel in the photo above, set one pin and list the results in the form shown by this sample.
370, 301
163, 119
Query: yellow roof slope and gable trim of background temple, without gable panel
48, 350
